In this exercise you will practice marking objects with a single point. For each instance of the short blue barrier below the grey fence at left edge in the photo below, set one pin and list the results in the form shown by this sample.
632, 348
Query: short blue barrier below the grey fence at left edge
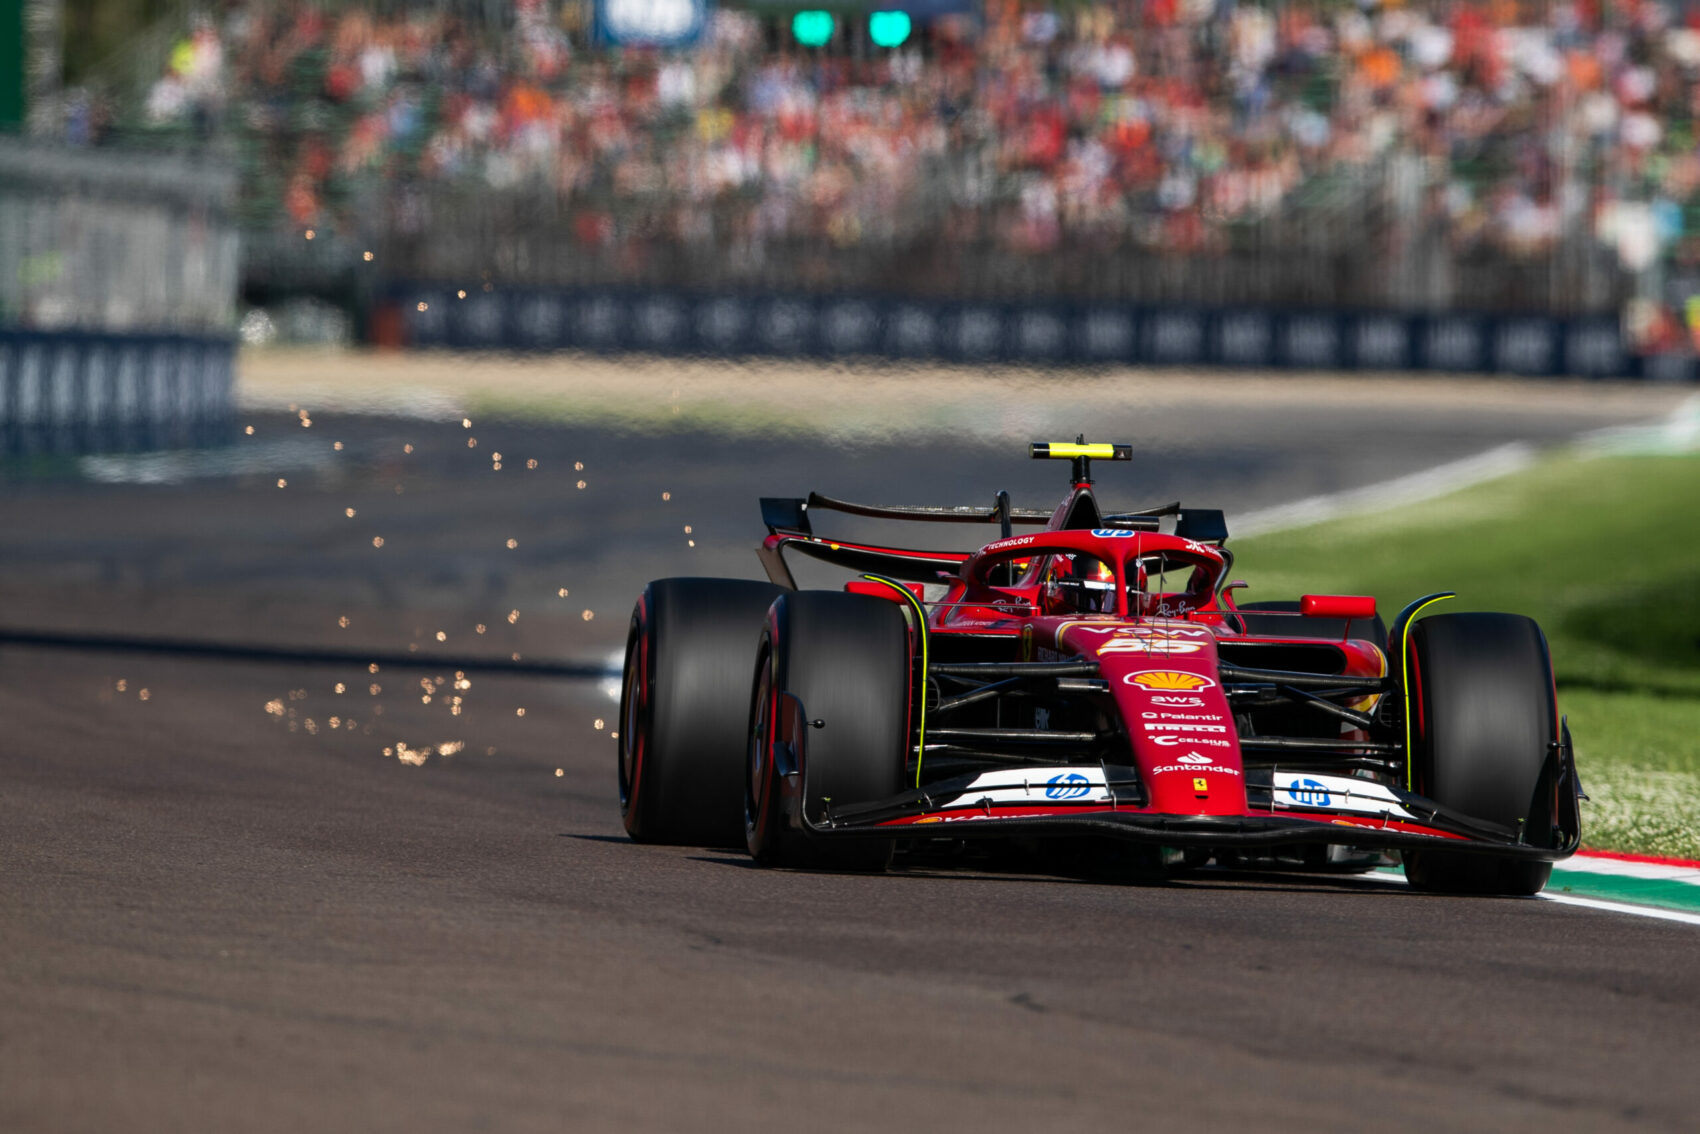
79, 392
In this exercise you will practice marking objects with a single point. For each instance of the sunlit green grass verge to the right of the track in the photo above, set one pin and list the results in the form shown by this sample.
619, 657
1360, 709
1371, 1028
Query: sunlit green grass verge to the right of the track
1606, 555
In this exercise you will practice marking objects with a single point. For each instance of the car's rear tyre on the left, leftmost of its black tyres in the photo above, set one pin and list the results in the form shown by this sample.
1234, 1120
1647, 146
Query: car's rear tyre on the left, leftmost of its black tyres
684, 710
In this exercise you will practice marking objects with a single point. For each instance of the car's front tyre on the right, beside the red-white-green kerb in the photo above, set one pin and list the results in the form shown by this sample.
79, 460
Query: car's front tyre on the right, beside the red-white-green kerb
1483, 720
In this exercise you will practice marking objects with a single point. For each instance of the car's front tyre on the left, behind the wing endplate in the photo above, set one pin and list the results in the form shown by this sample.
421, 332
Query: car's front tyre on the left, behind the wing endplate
846, 659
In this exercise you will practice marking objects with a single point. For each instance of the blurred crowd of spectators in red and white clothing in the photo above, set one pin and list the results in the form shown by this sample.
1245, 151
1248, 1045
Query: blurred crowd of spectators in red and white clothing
1516, 127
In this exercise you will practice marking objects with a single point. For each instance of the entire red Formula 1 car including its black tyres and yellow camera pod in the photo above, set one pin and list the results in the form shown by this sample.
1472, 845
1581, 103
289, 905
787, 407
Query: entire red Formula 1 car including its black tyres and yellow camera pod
1092, 686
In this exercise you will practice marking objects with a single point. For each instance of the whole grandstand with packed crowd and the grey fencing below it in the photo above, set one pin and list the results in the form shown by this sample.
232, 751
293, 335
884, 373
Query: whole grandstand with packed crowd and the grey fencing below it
1478, 156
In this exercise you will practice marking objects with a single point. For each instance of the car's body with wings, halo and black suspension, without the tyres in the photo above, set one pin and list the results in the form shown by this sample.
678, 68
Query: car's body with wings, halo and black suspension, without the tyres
1097, 678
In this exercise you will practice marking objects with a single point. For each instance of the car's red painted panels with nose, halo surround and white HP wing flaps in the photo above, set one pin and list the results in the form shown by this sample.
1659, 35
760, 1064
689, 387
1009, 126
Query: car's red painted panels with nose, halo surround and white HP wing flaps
1160, 659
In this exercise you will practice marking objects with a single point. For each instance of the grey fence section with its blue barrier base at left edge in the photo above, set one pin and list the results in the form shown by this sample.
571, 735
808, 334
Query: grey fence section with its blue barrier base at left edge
118, 295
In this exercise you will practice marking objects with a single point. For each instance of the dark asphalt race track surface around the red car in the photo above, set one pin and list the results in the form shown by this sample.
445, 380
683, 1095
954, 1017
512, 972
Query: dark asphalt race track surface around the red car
222, 912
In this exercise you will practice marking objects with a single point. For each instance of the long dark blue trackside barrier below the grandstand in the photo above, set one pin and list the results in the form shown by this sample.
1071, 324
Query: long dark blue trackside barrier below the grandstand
1033, 334
